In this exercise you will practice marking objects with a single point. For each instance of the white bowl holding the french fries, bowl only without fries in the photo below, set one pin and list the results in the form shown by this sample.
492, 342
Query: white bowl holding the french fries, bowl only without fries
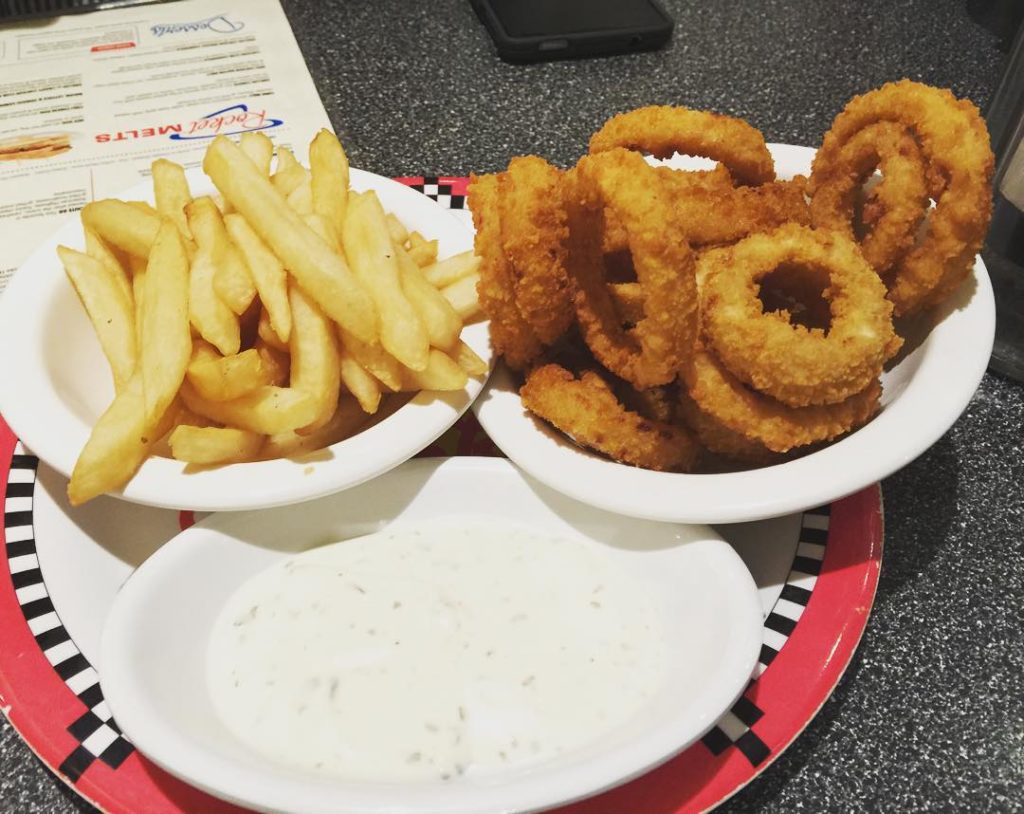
57, 382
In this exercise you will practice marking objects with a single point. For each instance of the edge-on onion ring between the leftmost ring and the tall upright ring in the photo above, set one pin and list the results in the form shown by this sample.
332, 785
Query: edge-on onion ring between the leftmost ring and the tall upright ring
534, 235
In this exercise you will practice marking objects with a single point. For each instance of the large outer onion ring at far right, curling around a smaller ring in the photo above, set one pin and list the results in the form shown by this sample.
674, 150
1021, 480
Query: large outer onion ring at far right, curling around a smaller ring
955, 143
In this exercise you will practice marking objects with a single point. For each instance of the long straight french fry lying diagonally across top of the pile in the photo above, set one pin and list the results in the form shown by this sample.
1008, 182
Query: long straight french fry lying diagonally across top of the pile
322, 274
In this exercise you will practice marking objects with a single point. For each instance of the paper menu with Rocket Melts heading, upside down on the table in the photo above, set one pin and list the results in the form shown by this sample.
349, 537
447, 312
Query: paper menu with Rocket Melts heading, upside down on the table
88, 102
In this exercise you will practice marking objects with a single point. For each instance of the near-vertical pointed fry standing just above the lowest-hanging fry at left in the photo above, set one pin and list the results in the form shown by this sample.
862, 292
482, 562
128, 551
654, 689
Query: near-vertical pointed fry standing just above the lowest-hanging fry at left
166, 337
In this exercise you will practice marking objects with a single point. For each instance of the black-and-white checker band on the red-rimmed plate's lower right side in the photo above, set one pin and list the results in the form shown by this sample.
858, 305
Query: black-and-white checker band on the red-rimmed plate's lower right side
736, 727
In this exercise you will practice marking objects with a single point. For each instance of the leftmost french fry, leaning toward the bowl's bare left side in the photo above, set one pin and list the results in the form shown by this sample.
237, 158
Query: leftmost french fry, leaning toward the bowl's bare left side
109, 310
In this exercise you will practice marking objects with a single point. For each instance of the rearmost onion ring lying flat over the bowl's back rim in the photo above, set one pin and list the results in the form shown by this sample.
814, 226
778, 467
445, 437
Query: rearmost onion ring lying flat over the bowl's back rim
663, 131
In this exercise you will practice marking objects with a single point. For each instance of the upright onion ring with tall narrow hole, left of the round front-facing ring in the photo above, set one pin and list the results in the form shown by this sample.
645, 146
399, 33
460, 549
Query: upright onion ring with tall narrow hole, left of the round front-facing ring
652, 353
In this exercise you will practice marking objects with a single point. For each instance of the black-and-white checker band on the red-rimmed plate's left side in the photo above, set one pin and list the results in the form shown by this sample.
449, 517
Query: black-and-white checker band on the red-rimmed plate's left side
96, 731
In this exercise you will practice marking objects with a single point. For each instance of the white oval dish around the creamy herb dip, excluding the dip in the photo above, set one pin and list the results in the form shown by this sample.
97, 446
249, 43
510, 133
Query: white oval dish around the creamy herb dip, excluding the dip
156, 638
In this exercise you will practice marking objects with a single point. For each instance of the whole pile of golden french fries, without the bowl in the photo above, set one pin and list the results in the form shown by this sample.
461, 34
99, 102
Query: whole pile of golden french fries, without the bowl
267, 322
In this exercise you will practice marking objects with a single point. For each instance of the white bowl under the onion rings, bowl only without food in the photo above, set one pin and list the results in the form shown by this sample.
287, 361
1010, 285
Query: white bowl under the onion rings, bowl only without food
922, 398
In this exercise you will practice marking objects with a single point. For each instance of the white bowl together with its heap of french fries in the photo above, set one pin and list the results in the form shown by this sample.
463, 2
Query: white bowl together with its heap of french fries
163, 355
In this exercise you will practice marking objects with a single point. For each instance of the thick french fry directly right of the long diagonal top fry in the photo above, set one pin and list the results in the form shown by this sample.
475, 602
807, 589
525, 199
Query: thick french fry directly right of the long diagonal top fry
369, 249
